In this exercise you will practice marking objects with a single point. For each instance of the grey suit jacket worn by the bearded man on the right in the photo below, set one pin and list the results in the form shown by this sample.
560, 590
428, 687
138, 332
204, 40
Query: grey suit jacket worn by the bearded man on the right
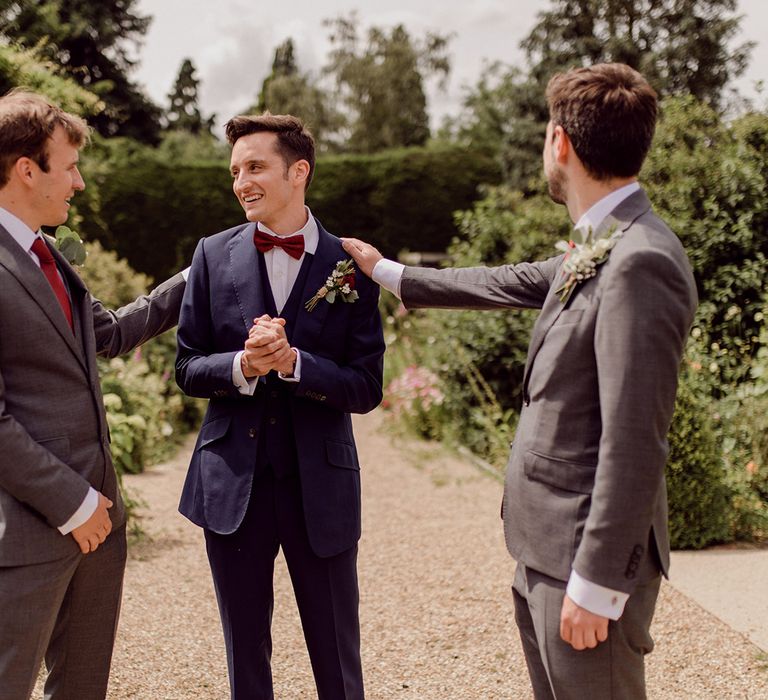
585, 482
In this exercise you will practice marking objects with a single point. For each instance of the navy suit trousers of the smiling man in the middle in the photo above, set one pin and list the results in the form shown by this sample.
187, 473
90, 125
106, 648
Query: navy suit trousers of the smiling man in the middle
325, 588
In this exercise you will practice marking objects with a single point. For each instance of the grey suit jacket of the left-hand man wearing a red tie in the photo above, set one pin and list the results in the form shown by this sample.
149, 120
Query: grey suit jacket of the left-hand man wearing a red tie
54, 441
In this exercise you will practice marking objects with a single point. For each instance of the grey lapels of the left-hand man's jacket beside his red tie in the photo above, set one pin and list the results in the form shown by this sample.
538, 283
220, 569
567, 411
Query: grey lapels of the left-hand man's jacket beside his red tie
29, 275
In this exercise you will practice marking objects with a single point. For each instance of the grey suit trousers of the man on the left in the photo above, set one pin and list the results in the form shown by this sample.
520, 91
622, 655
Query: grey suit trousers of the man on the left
67, 611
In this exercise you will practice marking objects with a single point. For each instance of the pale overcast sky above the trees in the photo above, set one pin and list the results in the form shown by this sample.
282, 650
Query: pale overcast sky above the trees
232, 42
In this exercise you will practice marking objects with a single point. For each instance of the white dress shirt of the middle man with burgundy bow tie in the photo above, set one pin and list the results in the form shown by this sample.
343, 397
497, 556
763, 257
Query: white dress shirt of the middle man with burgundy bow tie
282, 272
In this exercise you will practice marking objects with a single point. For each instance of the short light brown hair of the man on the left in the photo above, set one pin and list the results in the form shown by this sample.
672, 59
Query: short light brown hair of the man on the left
27, 121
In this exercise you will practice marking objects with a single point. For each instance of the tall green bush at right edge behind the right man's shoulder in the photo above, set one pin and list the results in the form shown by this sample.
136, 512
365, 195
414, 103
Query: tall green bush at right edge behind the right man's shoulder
707, 179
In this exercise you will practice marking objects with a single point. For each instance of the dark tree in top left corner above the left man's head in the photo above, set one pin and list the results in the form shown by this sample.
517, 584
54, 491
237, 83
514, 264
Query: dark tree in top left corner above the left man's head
92, 42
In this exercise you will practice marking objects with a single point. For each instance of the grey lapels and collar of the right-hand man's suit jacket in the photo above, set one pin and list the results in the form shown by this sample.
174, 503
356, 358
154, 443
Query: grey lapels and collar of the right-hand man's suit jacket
620, 219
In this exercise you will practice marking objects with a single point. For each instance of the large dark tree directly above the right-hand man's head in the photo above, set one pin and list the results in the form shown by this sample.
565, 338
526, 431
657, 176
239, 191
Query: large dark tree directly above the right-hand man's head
681, 46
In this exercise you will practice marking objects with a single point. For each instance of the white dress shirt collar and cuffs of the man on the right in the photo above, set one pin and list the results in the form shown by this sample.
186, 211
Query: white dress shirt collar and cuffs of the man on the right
591, 596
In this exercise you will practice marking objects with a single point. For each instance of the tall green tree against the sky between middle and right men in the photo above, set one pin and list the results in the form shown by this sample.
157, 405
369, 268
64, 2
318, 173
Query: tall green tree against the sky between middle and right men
382, 83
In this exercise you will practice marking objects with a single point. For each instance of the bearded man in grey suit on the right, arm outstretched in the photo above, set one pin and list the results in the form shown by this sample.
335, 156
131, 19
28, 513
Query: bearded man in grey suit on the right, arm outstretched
585, 506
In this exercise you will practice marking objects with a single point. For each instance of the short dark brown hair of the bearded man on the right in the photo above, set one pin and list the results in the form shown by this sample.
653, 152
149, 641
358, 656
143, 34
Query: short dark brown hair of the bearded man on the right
609, 113
